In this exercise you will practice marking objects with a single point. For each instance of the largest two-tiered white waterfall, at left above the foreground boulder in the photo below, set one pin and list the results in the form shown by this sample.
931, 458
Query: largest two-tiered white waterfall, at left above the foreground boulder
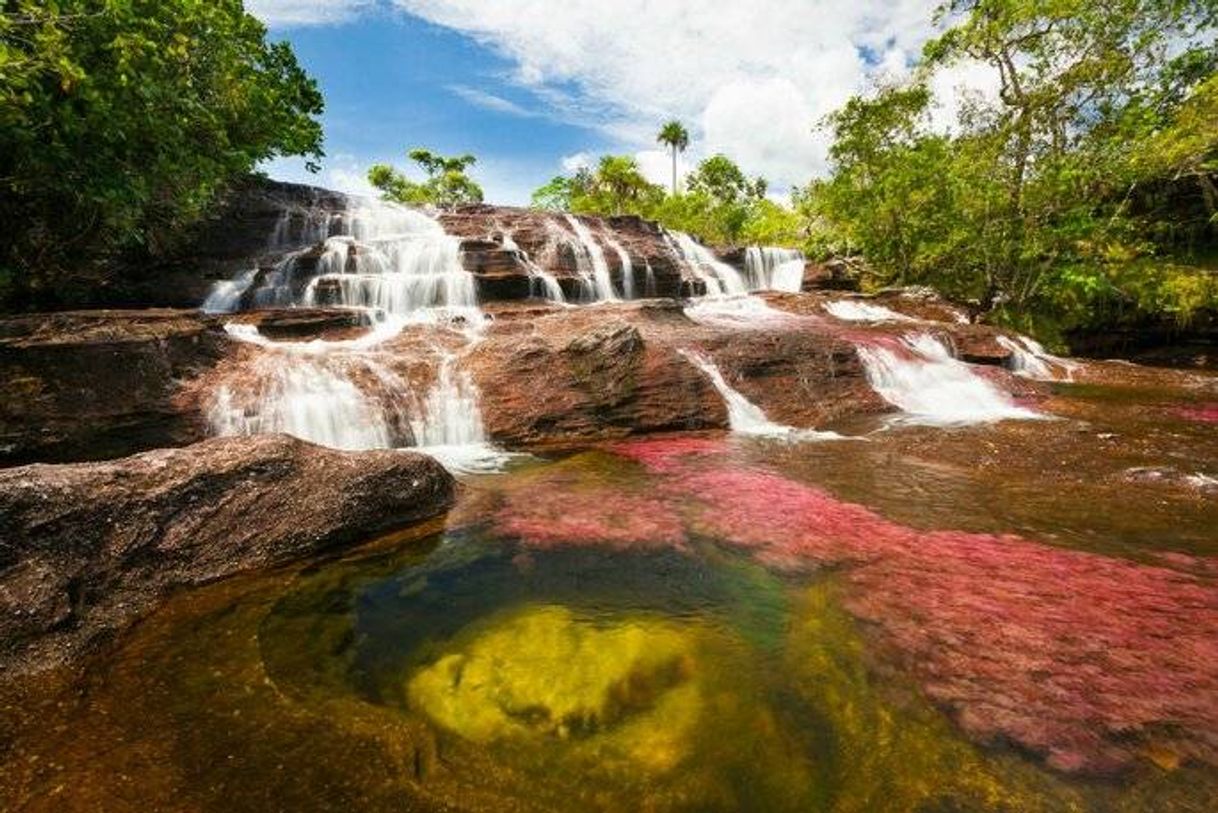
401, 269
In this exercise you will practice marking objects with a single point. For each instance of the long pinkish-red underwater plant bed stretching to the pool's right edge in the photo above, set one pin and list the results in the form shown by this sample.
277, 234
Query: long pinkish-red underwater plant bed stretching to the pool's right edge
1085, 660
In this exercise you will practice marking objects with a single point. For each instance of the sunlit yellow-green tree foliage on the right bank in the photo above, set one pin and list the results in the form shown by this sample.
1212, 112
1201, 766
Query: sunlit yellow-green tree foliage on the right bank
1093, 166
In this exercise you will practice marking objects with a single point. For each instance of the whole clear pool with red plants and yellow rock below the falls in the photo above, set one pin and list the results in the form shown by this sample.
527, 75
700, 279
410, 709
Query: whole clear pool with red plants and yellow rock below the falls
1013, 617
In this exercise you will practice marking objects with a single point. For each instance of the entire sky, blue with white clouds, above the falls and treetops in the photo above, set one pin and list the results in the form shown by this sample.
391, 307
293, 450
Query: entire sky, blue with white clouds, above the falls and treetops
537, 88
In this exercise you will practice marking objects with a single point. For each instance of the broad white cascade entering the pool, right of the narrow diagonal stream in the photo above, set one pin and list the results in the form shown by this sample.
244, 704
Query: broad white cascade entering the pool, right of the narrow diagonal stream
931, 387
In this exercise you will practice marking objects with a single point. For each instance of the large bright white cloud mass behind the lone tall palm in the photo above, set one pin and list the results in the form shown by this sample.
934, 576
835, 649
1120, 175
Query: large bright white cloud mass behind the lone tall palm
750, 80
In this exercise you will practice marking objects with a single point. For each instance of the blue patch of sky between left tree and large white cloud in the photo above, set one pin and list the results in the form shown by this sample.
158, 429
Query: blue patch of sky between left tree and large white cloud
394, 82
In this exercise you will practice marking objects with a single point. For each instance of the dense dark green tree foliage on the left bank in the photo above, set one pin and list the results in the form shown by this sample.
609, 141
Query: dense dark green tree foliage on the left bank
120, 124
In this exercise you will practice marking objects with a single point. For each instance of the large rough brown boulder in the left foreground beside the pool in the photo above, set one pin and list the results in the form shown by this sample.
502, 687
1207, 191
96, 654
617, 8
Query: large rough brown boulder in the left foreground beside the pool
90, 548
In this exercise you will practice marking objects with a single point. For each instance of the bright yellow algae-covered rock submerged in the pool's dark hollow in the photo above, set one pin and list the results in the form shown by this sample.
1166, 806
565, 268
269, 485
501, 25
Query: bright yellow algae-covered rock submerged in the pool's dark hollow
547, 673
